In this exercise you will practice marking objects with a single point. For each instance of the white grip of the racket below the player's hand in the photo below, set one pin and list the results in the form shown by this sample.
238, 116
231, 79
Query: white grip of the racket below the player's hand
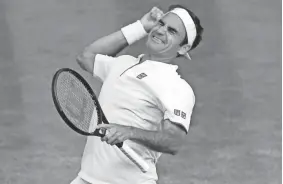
134, 157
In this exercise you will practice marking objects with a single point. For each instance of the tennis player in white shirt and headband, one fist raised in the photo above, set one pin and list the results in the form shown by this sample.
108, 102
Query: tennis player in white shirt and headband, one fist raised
148, 104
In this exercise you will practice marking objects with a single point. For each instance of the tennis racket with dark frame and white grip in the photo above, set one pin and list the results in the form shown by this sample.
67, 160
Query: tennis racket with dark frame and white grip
78, 106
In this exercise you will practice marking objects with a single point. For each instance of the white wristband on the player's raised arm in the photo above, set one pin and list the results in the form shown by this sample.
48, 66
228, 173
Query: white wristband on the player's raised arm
134, 32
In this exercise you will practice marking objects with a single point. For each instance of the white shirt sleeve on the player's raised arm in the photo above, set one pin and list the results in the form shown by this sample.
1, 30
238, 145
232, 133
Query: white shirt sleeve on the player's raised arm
102, 65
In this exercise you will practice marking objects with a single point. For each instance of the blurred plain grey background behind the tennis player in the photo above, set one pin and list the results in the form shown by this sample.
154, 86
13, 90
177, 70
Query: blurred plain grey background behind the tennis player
235, 136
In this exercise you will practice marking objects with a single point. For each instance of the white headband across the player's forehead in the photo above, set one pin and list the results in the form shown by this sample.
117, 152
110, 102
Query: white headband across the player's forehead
188, 23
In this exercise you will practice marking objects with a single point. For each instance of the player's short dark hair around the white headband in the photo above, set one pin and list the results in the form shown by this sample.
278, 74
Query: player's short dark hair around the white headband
199, 28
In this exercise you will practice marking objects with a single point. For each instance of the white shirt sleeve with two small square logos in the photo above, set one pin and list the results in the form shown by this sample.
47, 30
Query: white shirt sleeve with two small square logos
178, 104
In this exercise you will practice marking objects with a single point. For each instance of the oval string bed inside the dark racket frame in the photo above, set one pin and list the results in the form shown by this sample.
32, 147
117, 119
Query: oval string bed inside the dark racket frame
76, 102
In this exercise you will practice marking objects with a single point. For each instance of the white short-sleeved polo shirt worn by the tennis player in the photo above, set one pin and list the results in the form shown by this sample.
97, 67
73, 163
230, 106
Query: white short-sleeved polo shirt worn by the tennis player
136, 94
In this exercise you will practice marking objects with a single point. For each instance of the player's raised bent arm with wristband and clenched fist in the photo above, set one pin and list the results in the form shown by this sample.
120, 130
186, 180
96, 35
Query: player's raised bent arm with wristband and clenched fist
114, 43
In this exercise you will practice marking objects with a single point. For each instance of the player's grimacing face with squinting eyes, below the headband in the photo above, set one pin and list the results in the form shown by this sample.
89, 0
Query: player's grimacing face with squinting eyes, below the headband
165, 38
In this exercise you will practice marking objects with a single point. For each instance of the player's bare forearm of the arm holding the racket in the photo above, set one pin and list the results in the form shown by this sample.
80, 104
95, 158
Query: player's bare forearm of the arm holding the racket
161, 141
